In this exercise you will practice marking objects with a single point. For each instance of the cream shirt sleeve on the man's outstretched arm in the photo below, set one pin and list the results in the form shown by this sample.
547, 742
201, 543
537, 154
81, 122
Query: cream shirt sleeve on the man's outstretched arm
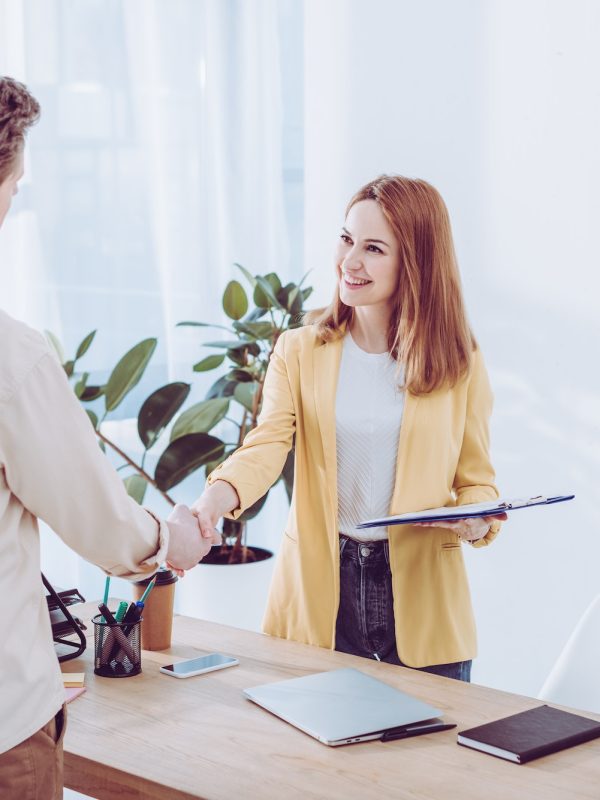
55, 468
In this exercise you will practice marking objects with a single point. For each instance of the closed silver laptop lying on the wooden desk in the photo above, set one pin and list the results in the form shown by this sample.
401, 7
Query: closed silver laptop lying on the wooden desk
346, 706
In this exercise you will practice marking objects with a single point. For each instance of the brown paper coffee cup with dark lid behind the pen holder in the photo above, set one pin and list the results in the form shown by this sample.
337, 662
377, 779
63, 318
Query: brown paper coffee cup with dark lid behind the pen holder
157, 616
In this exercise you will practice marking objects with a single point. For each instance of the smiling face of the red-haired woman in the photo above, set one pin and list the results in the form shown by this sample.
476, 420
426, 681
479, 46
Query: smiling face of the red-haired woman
367, 257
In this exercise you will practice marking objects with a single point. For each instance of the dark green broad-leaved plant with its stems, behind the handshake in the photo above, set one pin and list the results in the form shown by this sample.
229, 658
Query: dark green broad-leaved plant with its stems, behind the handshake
242, 356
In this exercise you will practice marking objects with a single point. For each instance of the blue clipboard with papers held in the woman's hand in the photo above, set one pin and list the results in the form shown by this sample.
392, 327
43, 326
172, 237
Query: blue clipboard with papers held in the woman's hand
468, 511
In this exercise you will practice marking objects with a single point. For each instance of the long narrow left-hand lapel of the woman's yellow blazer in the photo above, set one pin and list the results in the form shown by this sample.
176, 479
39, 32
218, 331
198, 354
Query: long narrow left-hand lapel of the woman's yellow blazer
326, 370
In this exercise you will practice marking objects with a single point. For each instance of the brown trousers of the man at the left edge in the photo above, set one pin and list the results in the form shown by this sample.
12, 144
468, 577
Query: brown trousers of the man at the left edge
33, 769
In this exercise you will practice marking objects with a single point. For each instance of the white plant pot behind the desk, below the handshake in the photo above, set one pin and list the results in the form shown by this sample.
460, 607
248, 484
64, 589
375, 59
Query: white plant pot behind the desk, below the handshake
230, 594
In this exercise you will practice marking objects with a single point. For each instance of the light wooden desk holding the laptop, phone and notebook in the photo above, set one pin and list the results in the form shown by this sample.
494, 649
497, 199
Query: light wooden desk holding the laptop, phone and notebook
152, 736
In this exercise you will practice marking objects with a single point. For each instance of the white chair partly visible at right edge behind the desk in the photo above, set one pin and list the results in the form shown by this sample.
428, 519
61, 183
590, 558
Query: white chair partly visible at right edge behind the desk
575, 678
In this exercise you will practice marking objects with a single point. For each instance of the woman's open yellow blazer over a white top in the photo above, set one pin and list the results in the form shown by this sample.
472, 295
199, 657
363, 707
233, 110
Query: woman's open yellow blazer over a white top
442, 460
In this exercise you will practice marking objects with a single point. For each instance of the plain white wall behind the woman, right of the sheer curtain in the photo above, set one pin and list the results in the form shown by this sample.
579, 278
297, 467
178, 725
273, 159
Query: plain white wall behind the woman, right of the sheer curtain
496, 103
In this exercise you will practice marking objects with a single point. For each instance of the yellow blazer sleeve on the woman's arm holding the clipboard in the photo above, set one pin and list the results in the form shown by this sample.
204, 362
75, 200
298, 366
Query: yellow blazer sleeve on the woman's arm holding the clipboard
474, 481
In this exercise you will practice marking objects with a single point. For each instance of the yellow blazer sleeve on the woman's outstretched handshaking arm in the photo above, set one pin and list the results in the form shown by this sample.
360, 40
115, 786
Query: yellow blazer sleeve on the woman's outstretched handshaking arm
257, 464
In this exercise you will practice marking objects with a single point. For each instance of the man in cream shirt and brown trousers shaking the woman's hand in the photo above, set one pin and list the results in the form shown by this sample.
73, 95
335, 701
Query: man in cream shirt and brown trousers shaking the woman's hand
51, 467
